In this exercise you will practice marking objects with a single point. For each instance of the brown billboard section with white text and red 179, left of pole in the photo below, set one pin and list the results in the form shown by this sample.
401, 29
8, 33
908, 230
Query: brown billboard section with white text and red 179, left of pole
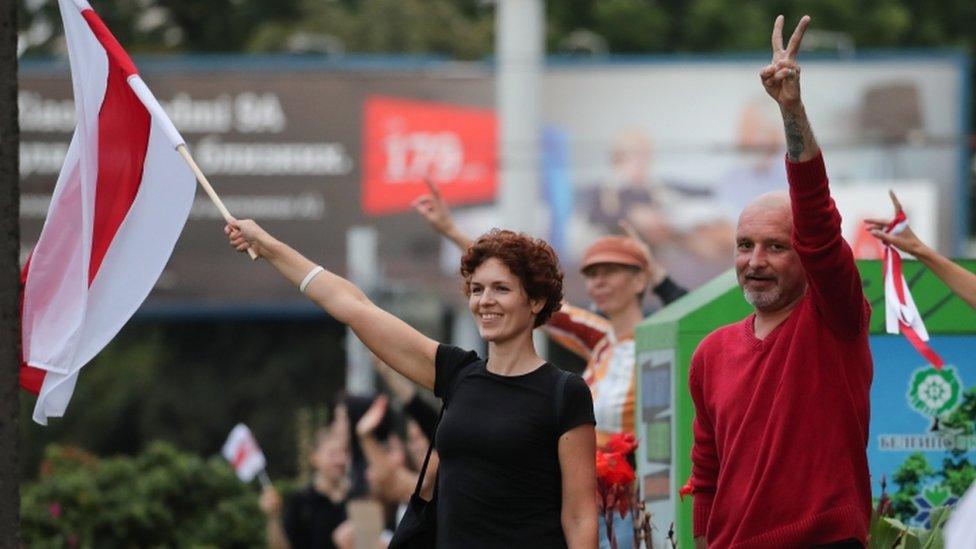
287, 148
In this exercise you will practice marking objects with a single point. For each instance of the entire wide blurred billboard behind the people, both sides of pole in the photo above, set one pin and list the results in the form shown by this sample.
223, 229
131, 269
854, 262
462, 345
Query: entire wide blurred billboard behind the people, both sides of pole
674, 145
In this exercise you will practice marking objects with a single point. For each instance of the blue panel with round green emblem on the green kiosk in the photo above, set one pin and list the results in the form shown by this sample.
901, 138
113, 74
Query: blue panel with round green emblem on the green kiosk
922, 441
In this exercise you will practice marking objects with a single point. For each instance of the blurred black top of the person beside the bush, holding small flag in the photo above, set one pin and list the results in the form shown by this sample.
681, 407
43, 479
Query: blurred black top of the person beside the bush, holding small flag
310, 518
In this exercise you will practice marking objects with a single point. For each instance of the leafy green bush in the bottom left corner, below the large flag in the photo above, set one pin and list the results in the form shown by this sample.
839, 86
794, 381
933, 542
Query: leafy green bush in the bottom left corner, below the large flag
160, 498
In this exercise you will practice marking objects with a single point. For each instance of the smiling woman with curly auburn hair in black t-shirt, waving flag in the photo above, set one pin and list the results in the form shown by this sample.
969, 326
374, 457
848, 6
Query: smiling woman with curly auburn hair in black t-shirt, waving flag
516, 441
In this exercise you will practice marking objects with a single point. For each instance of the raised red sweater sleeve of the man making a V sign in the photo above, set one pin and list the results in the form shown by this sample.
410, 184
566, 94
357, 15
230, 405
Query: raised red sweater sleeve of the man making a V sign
827, 258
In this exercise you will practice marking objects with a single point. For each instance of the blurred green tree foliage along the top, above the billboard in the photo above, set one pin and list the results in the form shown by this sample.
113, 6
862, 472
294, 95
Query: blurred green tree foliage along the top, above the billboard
463, 29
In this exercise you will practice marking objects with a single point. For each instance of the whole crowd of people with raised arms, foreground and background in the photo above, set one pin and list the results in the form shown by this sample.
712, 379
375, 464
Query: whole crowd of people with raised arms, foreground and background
781, 397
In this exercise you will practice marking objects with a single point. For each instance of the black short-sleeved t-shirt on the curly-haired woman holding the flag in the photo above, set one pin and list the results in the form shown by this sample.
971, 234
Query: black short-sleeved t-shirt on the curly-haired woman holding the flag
499, 483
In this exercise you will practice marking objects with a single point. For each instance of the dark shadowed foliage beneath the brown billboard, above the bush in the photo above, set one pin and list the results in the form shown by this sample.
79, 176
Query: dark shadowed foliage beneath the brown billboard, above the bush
189, 383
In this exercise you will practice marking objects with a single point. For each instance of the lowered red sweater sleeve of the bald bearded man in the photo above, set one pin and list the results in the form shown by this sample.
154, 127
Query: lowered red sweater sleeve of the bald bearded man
704, 456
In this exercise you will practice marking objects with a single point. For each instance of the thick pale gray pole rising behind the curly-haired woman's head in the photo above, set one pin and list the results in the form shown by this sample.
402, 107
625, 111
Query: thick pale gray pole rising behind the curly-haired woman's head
519, 52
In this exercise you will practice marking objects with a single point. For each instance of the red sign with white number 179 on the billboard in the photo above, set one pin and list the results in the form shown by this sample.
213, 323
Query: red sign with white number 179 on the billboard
405, 141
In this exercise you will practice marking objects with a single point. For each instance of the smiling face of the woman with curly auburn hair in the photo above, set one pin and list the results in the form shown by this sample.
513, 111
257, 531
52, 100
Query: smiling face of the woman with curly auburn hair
501, 308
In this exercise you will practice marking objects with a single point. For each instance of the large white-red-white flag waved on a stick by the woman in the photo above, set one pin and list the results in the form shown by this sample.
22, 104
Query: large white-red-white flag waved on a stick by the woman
120, 203
